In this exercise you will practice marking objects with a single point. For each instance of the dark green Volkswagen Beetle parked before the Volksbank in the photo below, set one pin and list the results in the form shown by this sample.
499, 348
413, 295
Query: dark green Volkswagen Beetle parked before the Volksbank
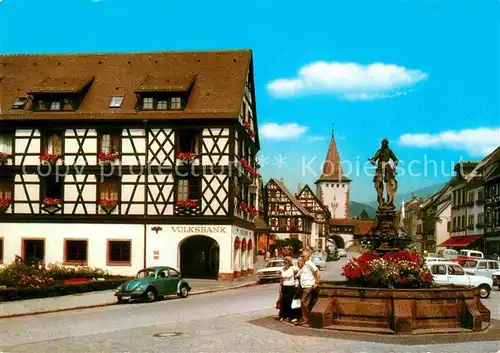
153, 283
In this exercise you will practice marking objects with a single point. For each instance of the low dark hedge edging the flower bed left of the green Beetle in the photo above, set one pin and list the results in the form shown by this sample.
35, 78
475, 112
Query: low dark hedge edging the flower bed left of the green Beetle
58, 289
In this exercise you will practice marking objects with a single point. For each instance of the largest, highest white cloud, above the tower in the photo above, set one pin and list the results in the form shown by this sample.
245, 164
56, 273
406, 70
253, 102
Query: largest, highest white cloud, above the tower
351, 81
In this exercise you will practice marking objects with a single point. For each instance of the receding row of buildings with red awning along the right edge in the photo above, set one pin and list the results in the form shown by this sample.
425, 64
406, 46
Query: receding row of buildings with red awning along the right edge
464, 214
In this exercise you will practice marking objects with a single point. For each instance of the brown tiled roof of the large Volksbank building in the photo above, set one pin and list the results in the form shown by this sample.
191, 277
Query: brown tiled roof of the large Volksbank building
217, 91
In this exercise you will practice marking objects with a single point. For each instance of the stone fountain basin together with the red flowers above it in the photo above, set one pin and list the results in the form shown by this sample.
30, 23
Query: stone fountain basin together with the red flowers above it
394, 294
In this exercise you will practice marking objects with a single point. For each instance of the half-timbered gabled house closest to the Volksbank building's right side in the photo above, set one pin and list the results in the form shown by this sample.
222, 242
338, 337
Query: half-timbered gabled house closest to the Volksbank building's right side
288, 218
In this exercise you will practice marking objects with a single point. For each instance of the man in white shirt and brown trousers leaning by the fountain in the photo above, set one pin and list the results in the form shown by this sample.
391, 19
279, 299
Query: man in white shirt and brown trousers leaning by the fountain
309, 280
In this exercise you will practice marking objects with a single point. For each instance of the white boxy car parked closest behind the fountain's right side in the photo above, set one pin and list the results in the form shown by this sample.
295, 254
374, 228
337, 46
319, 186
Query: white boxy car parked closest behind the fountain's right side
449, 272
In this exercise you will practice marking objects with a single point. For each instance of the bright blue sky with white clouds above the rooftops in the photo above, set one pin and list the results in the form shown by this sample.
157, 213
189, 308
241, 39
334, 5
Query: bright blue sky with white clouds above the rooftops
424, 74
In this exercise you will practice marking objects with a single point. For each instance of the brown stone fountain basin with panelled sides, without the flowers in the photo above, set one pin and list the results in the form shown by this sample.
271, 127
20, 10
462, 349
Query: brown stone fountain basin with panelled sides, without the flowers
446, 309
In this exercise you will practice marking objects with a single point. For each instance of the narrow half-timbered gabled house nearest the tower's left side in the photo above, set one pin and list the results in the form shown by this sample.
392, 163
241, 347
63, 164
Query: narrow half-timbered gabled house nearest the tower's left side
321, 214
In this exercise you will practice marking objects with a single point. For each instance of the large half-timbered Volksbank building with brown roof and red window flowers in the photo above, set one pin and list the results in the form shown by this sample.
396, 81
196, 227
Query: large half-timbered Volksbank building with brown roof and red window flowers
122, 161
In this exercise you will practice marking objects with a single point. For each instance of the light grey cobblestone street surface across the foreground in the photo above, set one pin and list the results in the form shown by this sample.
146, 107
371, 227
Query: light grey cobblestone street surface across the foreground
217, 322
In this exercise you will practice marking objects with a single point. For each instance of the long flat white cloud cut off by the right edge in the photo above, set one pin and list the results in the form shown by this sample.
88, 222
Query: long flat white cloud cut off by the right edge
476, 142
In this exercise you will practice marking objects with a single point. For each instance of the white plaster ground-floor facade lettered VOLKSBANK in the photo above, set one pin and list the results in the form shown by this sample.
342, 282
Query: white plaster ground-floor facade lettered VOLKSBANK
162, 247
